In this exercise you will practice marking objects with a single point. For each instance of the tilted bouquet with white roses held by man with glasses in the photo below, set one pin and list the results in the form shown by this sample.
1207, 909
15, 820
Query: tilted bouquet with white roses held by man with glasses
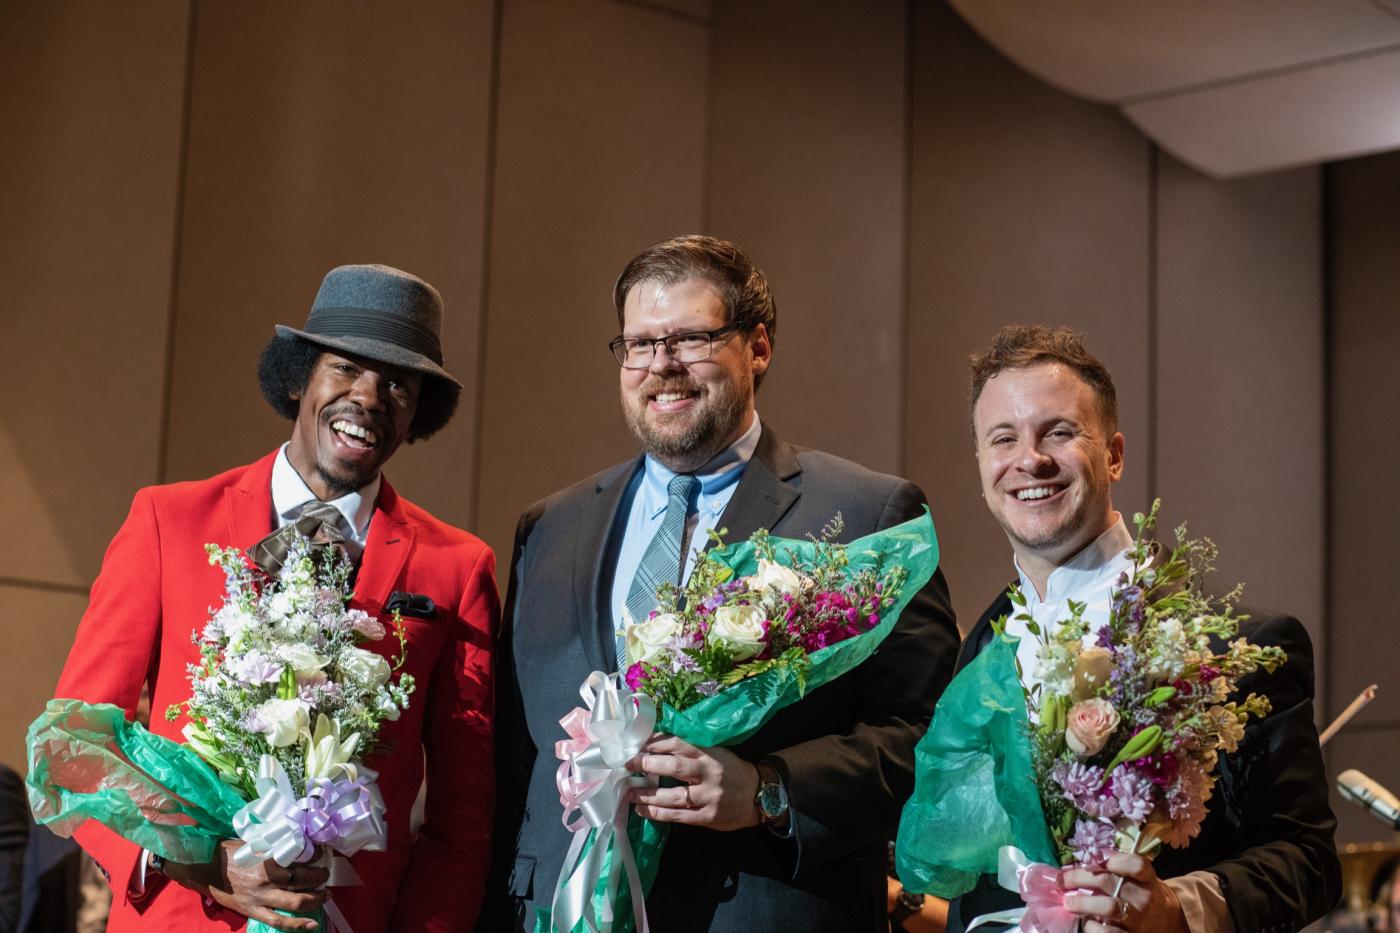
757, 626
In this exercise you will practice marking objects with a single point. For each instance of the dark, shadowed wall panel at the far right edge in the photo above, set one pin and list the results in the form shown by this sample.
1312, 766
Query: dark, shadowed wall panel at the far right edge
1364, 445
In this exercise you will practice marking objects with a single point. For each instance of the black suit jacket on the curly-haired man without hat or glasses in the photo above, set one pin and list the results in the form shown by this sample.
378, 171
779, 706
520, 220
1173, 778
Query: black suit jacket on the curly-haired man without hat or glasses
1269, 829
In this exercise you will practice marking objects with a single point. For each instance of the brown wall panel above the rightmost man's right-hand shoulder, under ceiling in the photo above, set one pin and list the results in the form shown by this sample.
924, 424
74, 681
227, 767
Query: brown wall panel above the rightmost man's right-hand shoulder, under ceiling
1241, 443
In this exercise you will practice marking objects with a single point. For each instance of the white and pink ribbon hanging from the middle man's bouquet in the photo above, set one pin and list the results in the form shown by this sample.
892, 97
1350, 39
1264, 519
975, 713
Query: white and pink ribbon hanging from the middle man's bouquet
591, 780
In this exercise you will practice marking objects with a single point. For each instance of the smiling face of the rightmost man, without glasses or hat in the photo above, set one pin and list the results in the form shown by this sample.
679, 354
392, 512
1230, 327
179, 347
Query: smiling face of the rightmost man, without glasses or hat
1046, 462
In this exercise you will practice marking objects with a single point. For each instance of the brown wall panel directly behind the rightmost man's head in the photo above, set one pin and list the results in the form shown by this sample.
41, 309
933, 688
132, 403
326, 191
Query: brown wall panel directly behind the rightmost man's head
1027, 205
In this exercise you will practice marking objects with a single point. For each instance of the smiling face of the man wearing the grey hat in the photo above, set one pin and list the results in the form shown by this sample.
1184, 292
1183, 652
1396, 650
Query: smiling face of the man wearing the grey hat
351, 420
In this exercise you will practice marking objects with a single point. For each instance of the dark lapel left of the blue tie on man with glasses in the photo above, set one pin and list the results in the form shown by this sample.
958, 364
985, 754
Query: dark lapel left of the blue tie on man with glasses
593, 546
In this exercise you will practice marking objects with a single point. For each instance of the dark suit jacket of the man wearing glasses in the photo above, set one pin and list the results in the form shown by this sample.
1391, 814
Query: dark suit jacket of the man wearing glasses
845, 752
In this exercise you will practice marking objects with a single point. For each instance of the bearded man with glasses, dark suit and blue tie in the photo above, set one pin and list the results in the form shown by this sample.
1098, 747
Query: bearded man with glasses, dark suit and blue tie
787, 830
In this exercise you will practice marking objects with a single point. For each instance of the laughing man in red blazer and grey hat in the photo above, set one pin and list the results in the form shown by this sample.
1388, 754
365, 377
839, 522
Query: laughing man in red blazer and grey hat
365, 376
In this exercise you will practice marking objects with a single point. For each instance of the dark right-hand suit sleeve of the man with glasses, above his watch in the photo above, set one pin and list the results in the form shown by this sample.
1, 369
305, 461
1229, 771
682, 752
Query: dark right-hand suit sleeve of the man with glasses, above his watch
846, 791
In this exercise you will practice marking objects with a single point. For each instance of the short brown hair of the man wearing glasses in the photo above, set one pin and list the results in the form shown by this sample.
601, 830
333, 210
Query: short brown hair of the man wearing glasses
743, 286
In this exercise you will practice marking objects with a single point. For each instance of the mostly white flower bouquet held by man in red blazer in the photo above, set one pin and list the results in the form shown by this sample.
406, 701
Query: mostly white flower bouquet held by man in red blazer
285, 704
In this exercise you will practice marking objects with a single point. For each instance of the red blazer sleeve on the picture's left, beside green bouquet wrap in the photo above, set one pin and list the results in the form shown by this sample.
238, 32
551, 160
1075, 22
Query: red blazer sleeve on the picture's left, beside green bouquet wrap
114, 656
